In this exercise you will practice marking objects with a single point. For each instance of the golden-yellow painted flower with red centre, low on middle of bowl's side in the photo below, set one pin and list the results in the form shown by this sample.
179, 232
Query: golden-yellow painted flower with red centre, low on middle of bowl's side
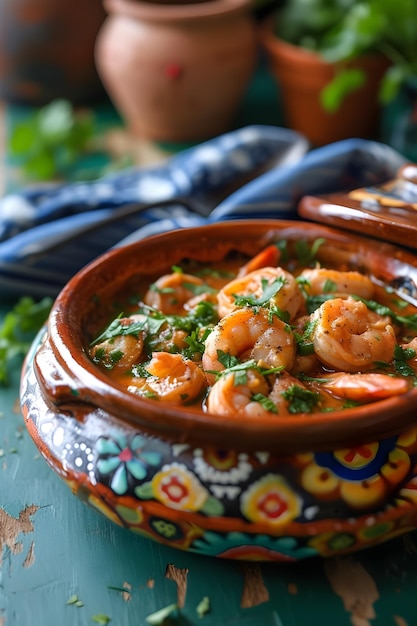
270, 500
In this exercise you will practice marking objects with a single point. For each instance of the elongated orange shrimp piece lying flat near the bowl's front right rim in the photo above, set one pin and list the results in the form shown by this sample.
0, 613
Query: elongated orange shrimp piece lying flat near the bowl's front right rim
364, 387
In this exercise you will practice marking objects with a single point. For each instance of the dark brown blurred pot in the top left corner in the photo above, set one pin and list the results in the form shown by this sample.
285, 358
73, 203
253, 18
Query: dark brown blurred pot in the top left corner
47, 50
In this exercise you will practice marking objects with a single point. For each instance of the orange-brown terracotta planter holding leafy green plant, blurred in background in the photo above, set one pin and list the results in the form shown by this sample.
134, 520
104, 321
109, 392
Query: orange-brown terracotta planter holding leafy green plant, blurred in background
302, 75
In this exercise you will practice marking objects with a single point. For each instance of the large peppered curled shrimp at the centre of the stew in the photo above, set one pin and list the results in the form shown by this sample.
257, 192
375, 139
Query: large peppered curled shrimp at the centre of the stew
249, 335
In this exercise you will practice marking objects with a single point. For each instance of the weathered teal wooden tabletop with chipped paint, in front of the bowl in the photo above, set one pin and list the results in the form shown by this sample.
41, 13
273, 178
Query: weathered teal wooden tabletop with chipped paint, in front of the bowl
63, 564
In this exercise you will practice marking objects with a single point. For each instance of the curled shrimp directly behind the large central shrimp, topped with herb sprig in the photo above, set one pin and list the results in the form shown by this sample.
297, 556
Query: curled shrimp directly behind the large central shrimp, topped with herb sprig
288, 296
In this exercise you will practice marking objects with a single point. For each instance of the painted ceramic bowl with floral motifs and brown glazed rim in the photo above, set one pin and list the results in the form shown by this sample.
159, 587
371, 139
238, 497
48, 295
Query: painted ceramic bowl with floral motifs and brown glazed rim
316, 484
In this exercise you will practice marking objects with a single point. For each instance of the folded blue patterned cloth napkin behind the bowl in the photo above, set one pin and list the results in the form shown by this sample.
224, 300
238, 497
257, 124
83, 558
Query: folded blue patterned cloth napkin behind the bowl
48, 233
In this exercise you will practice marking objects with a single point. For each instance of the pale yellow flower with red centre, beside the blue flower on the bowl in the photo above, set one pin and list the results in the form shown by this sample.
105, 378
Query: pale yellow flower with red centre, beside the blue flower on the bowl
176, 487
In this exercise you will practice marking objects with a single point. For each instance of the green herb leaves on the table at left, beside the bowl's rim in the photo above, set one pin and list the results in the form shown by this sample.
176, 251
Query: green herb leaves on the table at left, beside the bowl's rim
18, 330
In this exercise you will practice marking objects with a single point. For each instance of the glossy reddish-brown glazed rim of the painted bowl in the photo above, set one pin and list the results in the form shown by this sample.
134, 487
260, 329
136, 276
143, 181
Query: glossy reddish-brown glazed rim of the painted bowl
92, 388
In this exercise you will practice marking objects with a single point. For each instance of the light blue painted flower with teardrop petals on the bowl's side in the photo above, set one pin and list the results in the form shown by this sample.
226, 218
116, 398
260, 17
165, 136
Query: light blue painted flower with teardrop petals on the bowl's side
122, 458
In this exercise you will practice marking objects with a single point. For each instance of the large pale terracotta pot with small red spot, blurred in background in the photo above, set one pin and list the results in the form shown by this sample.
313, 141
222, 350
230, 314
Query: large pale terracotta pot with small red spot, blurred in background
177, 72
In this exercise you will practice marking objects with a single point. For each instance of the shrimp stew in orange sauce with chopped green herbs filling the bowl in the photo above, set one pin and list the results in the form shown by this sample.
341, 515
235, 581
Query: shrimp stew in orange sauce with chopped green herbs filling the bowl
262, 338
